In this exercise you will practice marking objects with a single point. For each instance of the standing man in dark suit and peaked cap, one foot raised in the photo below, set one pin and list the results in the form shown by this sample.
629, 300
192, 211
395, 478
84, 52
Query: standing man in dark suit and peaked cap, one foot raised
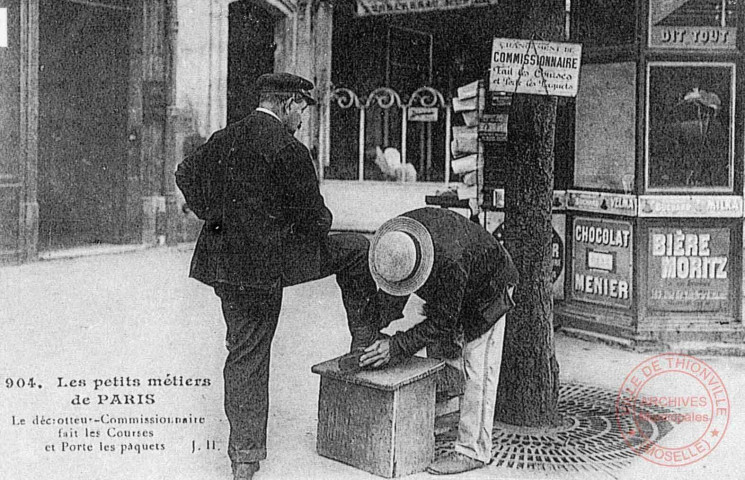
266, 227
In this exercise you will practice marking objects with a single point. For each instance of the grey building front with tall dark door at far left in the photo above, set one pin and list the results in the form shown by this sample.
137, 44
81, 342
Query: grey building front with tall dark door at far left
86, 96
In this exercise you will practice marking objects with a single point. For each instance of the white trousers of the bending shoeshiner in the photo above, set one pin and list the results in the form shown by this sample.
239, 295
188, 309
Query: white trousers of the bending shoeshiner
480, 363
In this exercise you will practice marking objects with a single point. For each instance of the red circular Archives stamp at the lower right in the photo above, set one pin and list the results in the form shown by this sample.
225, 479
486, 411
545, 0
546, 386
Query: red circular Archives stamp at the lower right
672, 409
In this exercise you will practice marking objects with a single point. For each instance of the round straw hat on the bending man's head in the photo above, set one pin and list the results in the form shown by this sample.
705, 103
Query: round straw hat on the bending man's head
401, 256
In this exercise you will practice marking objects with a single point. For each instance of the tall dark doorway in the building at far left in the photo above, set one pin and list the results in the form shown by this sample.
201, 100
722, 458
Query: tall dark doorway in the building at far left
83, 94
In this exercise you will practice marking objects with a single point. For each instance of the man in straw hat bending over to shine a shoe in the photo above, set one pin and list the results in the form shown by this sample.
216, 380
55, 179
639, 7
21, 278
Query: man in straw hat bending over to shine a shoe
465, 277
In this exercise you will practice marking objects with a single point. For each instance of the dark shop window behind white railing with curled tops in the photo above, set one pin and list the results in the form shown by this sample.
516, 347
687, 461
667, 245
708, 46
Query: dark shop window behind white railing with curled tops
370, 138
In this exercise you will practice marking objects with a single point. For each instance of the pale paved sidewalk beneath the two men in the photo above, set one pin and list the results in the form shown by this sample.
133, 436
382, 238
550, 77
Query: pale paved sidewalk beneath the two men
136, 316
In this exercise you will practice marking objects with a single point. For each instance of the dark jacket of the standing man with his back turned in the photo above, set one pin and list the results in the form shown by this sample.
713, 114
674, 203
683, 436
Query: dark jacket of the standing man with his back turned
255, 186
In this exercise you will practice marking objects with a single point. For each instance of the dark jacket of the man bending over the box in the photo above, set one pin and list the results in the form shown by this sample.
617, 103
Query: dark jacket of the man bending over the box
466, 292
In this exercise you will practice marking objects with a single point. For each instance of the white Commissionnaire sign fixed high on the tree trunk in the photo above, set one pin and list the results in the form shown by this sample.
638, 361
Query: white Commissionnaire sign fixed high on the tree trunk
535, 67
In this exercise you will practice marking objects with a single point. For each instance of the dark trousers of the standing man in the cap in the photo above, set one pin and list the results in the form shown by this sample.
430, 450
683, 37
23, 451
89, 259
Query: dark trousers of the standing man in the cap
251, 316
